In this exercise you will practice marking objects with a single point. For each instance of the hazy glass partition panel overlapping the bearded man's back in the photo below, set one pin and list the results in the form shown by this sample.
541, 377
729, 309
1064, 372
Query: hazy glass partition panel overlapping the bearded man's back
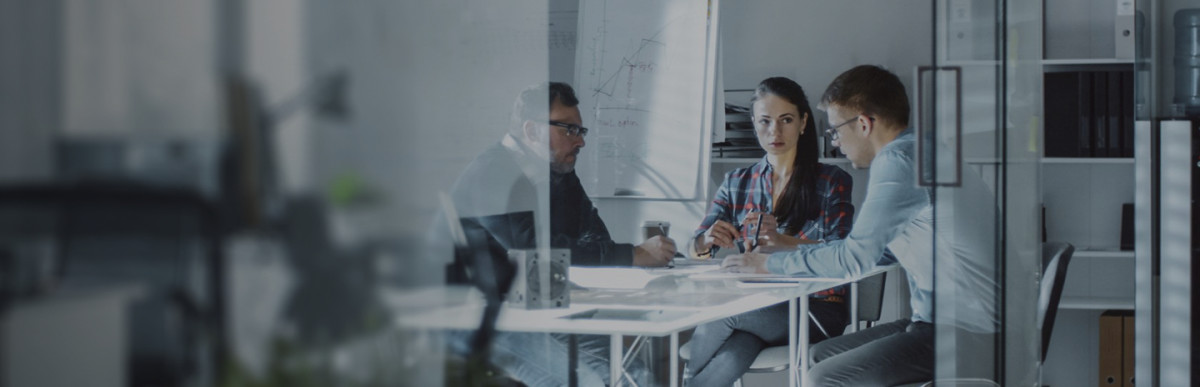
437, 92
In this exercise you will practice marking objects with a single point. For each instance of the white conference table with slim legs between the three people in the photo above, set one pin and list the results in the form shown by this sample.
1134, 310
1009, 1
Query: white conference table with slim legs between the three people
674, 300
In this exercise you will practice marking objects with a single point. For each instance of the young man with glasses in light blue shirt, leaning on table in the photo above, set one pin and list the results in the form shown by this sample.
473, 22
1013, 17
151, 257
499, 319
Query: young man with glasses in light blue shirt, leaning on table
868, 112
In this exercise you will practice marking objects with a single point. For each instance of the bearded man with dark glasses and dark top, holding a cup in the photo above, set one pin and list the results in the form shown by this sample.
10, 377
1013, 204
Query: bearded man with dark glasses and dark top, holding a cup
512, 180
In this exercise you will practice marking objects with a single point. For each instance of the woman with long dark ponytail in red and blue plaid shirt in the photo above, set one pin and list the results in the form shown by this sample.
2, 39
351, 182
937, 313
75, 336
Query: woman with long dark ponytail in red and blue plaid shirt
791, 200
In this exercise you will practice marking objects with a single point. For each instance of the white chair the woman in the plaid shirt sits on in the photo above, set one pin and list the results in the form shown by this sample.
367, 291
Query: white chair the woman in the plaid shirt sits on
867, 300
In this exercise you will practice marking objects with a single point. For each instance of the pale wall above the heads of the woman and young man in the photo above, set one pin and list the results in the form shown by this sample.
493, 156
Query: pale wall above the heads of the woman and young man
814, 41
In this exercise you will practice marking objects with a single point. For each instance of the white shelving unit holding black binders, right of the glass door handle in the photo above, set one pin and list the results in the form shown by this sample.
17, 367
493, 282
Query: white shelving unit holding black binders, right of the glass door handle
1083, 199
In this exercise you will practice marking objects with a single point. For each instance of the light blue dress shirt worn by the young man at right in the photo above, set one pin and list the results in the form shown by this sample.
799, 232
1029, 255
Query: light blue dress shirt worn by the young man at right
901, 216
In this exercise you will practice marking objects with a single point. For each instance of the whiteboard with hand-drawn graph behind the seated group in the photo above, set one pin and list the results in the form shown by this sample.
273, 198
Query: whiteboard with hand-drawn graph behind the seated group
641, 78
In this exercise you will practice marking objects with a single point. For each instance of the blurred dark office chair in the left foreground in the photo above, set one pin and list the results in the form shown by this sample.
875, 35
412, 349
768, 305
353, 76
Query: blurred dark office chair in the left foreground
166, 240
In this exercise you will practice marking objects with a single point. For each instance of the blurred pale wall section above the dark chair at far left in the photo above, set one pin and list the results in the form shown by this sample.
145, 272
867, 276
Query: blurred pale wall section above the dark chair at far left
140, 67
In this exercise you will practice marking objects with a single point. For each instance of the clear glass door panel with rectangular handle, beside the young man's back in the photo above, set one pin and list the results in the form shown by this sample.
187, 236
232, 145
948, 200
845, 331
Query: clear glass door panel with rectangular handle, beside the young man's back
979, 109
